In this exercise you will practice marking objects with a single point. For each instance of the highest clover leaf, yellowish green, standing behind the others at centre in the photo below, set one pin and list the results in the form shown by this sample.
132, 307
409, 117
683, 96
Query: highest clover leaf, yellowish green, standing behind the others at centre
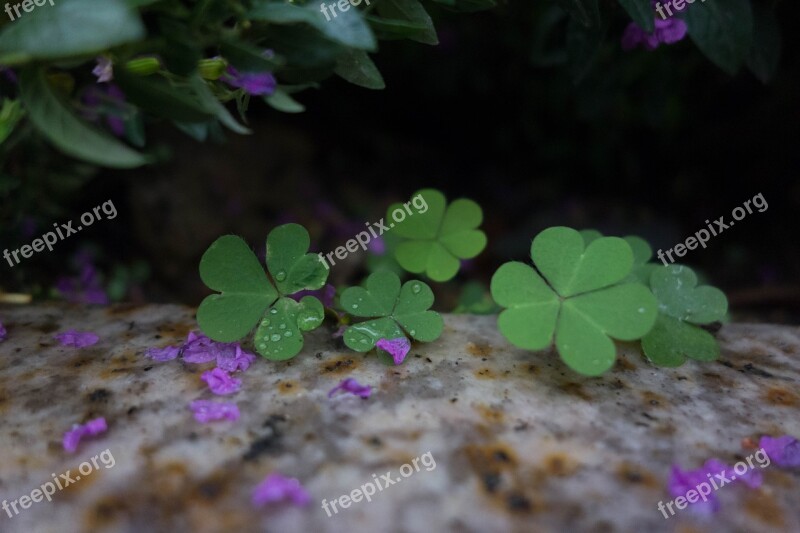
439, 237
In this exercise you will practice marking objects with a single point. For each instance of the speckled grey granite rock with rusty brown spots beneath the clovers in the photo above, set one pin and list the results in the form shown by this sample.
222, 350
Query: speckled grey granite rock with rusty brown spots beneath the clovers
520, 442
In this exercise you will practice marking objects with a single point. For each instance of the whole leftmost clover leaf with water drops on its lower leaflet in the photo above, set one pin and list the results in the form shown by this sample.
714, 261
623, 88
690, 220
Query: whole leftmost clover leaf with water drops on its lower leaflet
246, 293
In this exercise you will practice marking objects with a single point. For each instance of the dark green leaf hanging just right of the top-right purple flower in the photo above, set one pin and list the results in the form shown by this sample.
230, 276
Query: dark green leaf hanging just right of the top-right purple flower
723, 31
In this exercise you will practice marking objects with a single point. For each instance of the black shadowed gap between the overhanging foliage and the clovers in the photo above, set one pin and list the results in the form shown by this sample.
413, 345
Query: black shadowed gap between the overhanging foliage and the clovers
648, 143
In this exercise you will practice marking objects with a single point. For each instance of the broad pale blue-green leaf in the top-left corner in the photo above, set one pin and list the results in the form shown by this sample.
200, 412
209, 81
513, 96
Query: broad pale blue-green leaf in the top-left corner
69, 28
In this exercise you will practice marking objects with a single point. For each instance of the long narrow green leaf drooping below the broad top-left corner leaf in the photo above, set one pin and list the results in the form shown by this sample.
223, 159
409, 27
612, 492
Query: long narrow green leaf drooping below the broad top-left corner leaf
58, 123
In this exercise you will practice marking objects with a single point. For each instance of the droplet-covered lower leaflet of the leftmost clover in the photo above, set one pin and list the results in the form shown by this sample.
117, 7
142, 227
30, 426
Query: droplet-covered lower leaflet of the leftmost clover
279, 334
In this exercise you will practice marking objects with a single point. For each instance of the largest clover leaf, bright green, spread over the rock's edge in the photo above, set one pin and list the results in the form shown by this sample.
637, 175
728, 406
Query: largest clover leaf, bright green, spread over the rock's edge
577, 296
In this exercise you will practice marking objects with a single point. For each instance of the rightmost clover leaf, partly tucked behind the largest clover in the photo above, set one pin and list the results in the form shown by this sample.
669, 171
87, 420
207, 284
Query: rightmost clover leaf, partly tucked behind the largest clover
682, 305
